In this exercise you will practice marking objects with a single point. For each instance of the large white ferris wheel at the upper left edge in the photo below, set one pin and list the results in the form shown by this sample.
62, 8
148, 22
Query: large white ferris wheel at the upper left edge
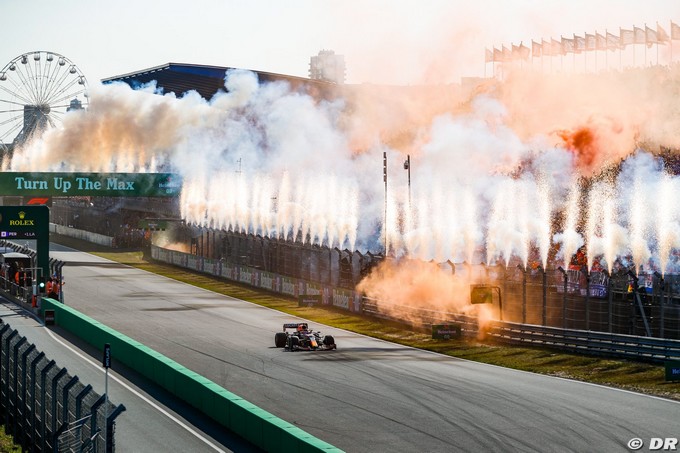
36, 90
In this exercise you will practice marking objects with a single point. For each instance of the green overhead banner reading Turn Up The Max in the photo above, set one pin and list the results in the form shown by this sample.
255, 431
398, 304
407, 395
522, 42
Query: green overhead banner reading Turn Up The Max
90, 184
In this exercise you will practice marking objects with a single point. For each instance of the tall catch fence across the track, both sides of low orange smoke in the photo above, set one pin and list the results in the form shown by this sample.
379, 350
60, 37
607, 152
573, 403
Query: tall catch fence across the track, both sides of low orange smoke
571, 299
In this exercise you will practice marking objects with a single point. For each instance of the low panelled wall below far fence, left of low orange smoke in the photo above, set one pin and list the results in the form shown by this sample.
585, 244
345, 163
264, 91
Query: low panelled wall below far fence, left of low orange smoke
288, 286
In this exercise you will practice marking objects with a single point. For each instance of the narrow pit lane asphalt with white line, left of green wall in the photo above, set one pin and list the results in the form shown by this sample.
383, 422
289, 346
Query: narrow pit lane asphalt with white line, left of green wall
153, 419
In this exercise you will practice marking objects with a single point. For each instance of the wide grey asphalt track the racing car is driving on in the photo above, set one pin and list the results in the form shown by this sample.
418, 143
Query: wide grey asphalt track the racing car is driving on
369, 395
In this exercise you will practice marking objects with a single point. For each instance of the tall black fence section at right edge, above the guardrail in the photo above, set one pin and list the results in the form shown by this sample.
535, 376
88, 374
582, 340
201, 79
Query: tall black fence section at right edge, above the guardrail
621, 303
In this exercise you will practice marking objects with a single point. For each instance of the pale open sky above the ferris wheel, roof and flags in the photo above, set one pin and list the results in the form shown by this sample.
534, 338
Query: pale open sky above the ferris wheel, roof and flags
403, 42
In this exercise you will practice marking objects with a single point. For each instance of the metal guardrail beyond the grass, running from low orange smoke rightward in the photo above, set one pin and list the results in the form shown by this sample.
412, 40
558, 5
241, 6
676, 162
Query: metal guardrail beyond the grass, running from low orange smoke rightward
577, 341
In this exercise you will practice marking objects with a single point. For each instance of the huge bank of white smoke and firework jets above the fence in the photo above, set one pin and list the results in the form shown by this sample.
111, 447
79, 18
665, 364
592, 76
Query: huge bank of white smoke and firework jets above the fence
271, 160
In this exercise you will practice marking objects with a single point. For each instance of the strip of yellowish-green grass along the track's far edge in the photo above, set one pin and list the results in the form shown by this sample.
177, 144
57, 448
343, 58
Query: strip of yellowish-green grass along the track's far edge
625, 374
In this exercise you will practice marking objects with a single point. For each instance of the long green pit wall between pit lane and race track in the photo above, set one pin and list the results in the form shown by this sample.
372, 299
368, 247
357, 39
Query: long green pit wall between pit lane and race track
254, 424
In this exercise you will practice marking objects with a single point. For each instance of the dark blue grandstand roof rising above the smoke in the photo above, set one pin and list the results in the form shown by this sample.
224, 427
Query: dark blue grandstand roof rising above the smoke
179, 78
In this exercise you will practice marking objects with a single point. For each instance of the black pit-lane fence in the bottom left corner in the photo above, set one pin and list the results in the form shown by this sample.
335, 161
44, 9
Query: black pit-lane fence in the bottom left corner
45, 408
